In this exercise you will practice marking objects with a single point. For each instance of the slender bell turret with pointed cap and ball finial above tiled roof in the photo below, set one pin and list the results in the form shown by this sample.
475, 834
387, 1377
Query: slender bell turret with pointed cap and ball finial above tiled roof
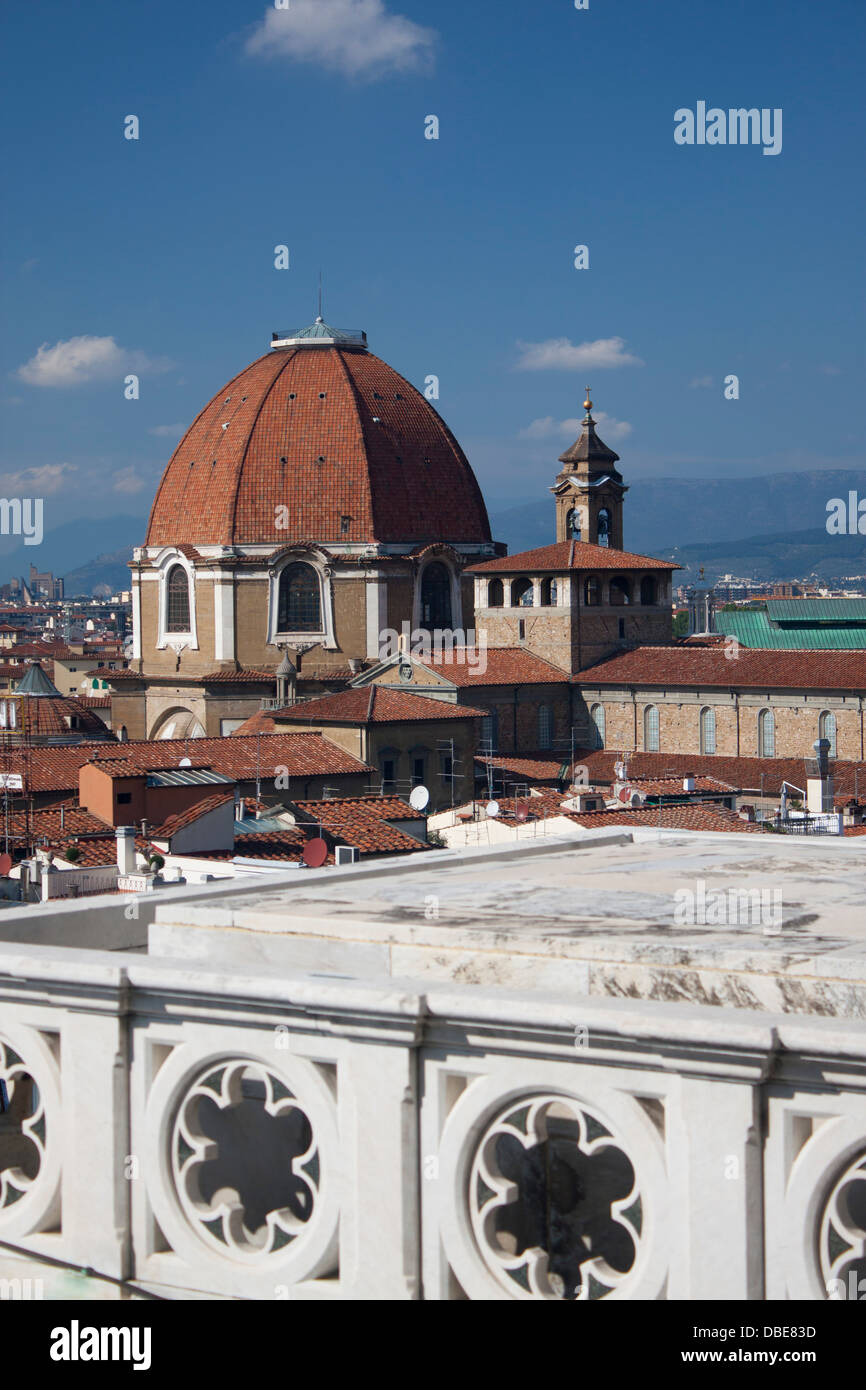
590, 490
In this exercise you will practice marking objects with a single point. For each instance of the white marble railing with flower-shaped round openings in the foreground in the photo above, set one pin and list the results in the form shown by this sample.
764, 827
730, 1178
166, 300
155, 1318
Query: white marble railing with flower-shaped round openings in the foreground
319, 1138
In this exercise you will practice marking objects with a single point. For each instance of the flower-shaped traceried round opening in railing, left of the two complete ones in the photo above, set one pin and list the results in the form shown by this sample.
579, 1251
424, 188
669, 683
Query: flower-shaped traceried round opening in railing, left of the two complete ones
245, 1160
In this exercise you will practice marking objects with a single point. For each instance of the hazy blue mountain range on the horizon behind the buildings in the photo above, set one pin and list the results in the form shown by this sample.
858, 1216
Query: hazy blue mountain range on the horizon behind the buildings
772, 528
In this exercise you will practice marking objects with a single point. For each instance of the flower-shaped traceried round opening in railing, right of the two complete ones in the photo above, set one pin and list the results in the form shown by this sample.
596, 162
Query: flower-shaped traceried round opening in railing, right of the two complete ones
554, 1202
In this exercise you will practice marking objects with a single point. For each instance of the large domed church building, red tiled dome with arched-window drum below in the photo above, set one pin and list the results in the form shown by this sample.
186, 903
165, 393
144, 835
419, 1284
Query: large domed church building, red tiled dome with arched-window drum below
318, 501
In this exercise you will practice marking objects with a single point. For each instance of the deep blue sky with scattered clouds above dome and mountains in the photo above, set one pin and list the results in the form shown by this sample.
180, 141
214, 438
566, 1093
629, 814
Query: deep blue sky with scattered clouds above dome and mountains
307, 129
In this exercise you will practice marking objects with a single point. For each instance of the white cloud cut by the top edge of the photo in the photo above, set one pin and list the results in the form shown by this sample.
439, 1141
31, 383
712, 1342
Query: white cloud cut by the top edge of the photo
358, 38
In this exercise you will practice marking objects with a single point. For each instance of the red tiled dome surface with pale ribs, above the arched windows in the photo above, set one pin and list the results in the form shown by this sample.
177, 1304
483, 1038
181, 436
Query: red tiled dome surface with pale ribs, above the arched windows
358, 441
